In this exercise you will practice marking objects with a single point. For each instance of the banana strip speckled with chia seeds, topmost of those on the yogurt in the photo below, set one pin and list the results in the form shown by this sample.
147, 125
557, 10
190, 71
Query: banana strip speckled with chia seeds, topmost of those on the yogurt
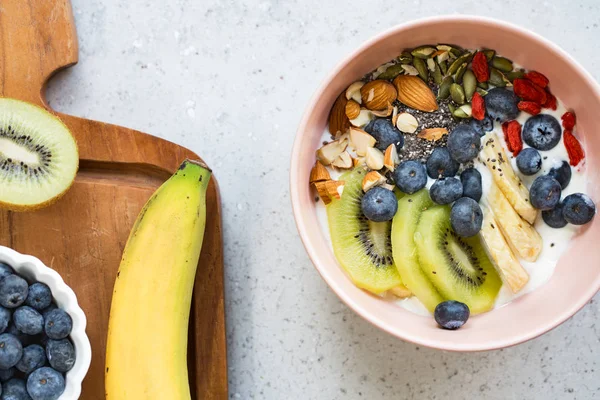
495, 159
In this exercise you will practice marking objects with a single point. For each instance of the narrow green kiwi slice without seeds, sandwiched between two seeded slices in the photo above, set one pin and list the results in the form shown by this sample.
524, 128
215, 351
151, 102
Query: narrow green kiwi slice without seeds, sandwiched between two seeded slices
404, 225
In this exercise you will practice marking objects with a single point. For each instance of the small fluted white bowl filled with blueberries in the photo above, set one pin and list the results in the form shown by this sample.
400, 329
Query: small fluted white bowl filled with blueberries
44, 350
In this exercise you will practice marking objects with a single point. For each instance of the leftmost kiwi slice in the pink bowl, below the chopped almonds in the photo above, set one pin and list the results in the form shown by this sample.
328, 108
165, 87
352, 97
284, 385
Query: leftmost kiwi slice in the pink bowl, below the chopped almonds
361, 246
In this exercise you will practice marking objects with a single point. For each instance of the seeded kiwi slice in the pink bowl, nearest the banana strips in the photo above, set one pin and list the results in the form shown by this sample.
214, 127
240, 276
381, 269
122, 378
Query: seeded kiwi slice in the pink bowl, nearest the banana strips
458, 267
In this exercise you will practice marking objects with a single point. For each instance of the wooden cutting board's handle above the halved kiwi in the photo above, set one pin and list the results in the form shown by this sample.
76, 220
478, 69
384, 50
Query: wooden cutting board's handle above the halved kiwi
38, 38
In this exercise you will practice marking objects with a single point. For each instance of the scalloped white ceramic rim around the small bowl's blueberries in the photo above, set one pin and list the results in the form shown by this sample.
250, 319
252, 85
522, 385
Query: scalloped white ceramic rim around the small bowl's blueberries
33, 269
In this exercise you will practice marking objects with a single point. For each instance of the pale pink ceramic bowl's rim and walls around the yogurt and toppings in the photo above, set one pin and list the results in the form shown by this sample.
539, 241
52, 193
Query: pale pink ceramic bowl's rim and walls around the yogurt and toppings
576, 278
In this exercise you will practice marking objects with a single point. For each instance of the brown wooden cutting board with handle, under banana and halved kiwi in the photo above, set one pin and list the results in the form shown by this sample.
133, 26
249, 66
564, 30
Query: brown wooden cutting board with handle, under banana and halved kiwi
83, 235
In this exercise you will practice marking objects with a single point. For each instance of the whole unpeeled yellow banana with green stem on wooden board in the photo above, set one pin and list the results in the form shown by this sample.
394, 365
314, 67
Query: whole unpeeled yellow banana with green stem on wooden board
146, 351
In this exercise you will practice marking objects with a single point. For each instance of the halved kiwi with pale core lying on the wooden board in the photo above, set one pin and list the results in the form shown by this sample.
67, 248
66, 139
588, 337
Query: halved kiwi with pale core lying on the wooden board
38, 156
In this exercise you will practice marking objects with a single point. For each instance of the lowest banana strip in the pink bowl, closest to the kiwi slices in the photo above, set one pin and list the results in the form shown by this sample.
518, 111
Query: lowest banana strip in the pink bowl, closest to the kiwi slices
507, 265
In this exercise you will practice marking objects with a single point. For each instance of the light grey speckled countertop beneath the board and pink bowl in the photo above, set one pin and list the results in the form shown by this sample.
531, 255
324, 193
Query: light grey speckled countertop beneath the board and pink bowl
230, 79
